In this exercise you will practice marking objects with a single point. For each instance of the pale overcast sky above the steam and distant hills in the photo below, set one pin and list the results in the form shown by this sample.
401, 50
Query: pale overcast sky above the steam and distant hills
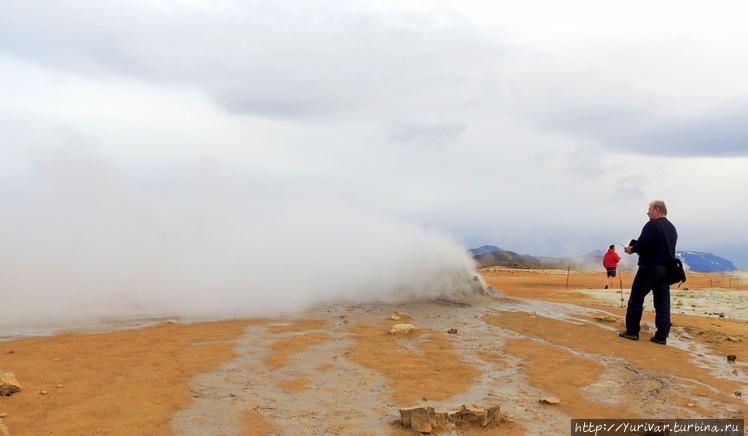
539, 126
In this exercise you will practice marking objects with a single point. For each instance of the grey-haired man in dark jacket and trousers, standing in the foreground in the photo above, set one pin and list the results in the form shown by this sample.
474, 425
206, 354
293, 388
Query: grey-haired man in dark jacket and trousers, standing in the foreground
654, 255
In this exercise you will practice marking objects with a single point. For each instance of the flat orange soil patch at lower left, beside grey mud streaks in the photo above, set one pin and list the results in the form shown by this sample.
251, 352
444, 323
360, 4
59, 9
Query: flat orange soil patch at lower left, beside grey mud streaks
121, 383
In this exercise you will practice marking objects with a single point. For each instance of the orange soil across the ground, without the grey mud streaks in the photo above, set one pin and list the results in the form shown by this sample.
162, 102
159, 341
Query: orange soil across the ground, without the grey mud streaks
133, 382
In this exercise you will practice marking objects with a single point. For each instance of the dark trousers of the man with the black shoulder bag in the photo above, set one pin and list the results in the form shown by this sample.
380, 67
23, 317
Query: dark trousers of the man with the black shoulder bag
649, 278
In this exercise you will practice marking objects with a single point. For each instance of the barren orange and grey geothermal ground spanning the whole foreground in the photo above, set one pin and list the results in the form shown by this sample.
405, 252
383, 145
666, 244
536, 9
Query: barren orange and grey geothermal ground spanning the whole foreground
334, 369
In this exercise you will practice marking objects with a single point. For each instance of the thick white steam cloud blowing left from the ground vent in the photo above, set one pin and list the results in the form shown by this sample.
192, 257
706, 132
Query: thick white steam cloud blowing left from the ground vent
84, 240
